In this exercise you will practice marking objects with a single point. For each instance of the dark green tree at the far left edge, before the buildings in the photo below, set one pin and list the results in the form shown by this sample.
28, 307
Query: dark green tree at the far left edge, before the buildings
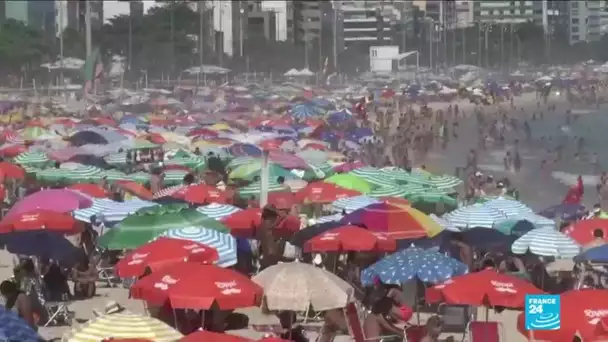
22, 47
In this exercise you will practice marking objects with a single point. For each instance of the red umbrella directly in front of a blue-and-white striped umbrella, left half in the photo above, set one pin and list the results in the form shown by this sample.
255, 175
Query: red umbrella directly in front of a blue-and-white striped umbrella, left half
163, 252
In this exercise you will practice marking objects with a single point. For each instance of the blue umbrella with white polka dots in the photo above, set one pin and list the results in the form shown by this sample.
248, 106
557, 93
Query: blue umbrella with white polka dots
428, 265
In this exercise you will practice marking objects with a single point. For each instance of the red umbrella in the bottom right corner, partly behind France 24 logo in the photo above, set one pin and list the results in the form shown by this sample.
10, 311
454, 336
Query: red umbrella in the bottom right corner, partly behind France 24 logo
582, 313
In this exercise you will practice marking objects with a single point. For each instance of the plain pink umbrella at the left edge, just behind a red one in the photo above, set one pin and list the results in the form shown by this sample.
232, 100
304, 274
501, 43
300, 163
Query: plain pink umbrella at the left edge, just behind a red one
57, 200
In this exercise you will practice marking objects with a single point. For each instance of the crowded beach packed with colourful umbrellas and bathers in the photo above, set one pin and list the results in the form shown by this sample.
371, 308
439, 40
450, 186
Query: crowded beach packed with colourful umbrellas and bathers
297, 213
